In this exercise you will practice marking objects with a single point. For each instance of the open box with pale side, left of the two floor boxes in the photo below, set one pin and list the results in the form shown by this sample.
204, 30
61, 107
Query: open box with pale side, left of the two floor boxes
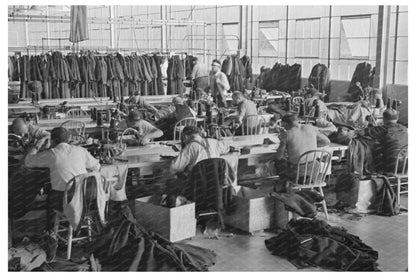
173, 224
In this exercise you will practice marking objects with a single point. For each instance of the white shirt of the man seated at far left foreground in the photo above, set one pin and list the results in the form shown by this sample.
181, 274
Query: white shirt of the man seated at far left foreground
64, 162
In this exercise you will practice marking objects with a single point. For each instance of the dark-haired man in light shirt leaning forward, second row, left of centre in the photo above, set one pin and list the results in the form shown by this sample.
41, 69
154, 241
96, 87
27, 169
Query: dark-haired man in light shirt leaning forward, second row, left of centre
146, 130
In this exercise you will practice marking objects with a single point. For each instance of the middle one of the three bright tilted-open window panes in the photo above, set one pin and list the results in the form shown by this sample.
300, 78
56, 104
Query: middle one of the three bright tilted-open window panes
307, 38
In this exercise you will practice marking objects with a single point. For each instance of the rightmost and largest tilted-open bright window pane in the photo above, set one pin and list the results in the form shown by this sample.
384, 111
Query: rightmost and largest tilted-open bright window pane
355, 37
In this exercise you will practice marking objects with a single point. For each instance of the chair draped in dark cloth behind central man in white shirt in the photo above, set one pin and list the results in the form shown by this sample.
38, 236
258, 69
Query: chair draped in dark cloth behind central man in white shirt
207, 188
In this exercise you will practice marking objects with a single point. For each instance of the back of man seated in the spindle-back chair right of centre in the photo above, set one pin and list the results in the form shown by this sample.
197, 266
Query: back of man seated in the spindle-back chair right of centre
300, 140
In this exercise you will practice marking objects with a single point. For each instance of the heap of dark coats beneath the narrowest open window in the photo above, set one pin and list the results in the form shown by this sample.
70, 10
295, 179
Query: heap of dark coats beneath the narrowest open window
282, 77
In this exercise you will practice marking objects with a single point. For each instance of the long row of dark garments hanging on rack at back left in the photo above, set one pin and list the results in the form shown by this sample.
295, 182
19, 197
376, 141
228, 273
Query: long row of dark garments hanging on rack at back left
87, 74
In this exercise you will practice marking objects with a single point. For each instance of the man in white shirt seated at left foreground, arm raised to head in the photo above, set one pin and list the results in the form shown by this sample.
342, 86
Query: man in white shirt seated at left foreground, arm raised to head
64, 162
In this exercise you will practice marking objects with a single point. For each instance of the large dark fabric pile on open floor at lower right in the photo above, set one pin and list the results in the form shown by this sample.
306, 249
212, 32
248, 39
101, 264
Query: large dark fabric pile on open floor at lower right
307, 242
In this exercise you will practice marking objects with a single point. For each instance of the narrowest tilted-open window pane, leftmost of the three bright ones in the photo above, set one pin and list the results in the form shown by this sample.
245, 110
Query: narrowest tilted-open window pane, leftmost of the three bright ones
268, 39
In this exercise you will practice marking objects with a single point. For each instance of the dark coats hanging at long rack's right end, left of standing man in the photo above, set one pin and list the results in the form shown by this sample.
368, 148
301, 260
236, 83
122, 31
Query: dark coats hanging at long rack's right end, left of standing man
176, 75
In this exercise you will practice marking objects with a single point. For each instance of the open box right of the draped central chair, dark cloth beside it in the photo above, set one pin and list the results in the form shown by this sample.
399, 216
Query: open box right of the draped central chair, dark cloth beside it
252, 211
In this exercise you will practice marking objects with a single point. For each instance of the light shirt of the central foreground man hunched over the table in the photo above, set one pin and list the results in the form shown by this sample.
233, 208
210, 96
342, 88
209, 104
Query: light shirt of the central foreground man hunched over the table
196, 151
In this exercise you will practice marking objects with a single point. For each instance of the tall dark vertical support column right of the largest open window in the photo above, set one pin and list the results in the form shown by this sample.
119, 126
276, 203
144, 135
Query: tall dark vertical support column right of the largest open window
380, 77
